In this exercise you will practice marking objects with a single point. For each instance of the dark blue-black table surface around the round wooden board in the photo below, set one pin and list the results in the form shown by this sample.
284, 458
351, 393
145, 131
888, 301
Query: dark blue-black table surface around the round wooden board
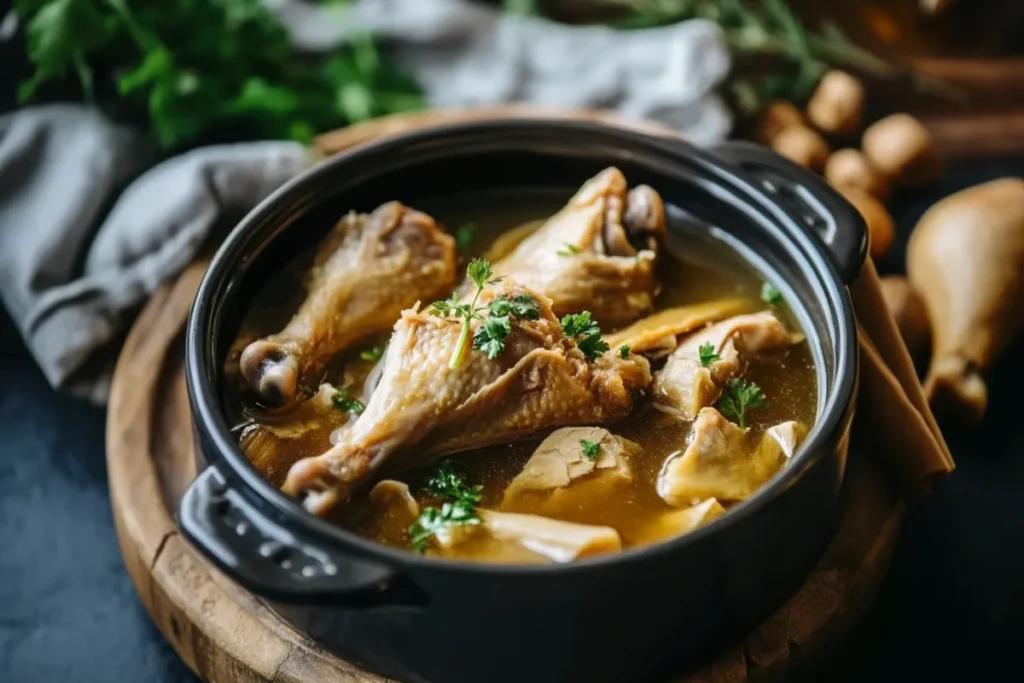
953, 605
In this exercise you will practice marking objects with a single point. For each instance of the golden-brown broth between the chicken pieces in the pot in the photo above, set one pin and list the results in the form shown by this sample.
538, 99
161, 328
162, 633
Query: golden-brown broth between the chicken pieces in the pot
705, 271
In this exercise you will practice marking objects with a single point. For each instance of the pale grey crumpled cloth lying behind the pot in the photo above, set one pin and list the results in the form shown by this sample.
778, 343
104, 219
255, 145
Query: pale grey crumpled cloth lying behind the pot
466, 55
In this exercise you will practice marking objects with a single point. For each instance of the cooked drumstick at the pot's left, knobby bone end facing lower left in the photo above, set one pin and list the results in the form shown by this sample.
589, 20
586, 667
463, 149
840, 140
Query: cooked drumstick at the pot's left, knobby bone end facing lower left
368, 270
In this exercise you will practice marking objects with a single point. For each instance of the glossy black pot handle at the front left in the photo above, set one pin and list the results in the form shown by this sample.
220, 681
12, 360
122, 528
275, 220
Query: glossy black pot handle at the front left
269, 560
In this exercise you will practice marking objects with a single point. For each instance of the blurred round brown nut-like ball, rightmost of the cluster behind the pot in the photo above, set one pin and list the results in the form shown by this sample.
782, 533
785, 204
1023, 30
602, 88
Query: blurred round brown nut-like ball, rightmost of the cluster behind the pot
903, 149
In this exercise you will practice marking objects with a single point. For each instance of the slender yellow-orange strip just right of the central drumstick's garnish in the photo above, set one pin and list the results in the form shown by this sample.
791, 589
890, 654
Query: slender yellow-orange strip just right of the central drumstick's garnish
659, 335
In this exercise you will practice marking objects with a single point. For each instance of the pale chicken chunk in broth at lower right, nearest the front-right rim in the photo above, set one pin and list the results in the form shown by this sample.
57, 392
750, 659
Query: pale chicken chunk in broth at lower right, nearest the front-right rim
721, 462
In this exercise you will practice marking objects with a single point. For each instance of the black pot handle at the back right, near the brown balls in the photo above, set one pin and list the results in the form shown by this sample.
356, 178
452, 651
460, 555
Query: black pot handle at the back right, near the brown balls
817, 207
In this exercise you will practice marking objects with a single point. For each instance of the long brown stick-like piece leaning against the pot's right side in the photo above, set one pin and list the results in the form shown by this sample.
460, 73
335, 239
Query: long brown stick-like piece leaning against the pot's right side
892, 412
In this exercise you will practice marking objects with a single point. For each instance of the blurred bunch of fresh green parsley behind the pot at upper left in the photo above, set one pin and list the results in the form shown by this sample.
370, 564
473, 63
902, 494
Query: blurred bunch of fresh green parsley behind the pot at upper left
198, 70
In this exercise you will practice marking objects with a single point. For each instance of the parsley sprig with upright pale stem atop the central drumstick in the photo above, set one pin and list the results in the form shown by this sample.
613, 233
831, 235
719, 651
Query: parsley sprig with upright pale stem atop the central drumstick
490, 337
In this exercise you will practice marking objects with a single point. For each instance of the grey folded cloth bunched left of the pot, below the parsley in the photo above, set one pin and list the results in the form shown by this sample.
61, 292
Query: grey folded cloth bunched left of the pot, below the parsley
70, 288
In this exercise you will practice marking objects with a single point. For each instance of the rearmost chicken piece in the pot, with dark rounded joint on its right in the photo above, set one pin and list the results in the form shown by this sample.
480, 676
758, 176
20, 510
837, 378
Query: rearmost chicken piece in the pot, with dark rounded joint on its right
598, 254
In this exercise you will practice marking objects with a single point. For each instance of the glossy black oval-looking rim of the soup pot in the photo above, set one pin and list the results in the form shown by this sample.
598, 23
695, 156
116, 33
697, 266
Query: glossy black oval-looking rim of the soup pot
208, 417
